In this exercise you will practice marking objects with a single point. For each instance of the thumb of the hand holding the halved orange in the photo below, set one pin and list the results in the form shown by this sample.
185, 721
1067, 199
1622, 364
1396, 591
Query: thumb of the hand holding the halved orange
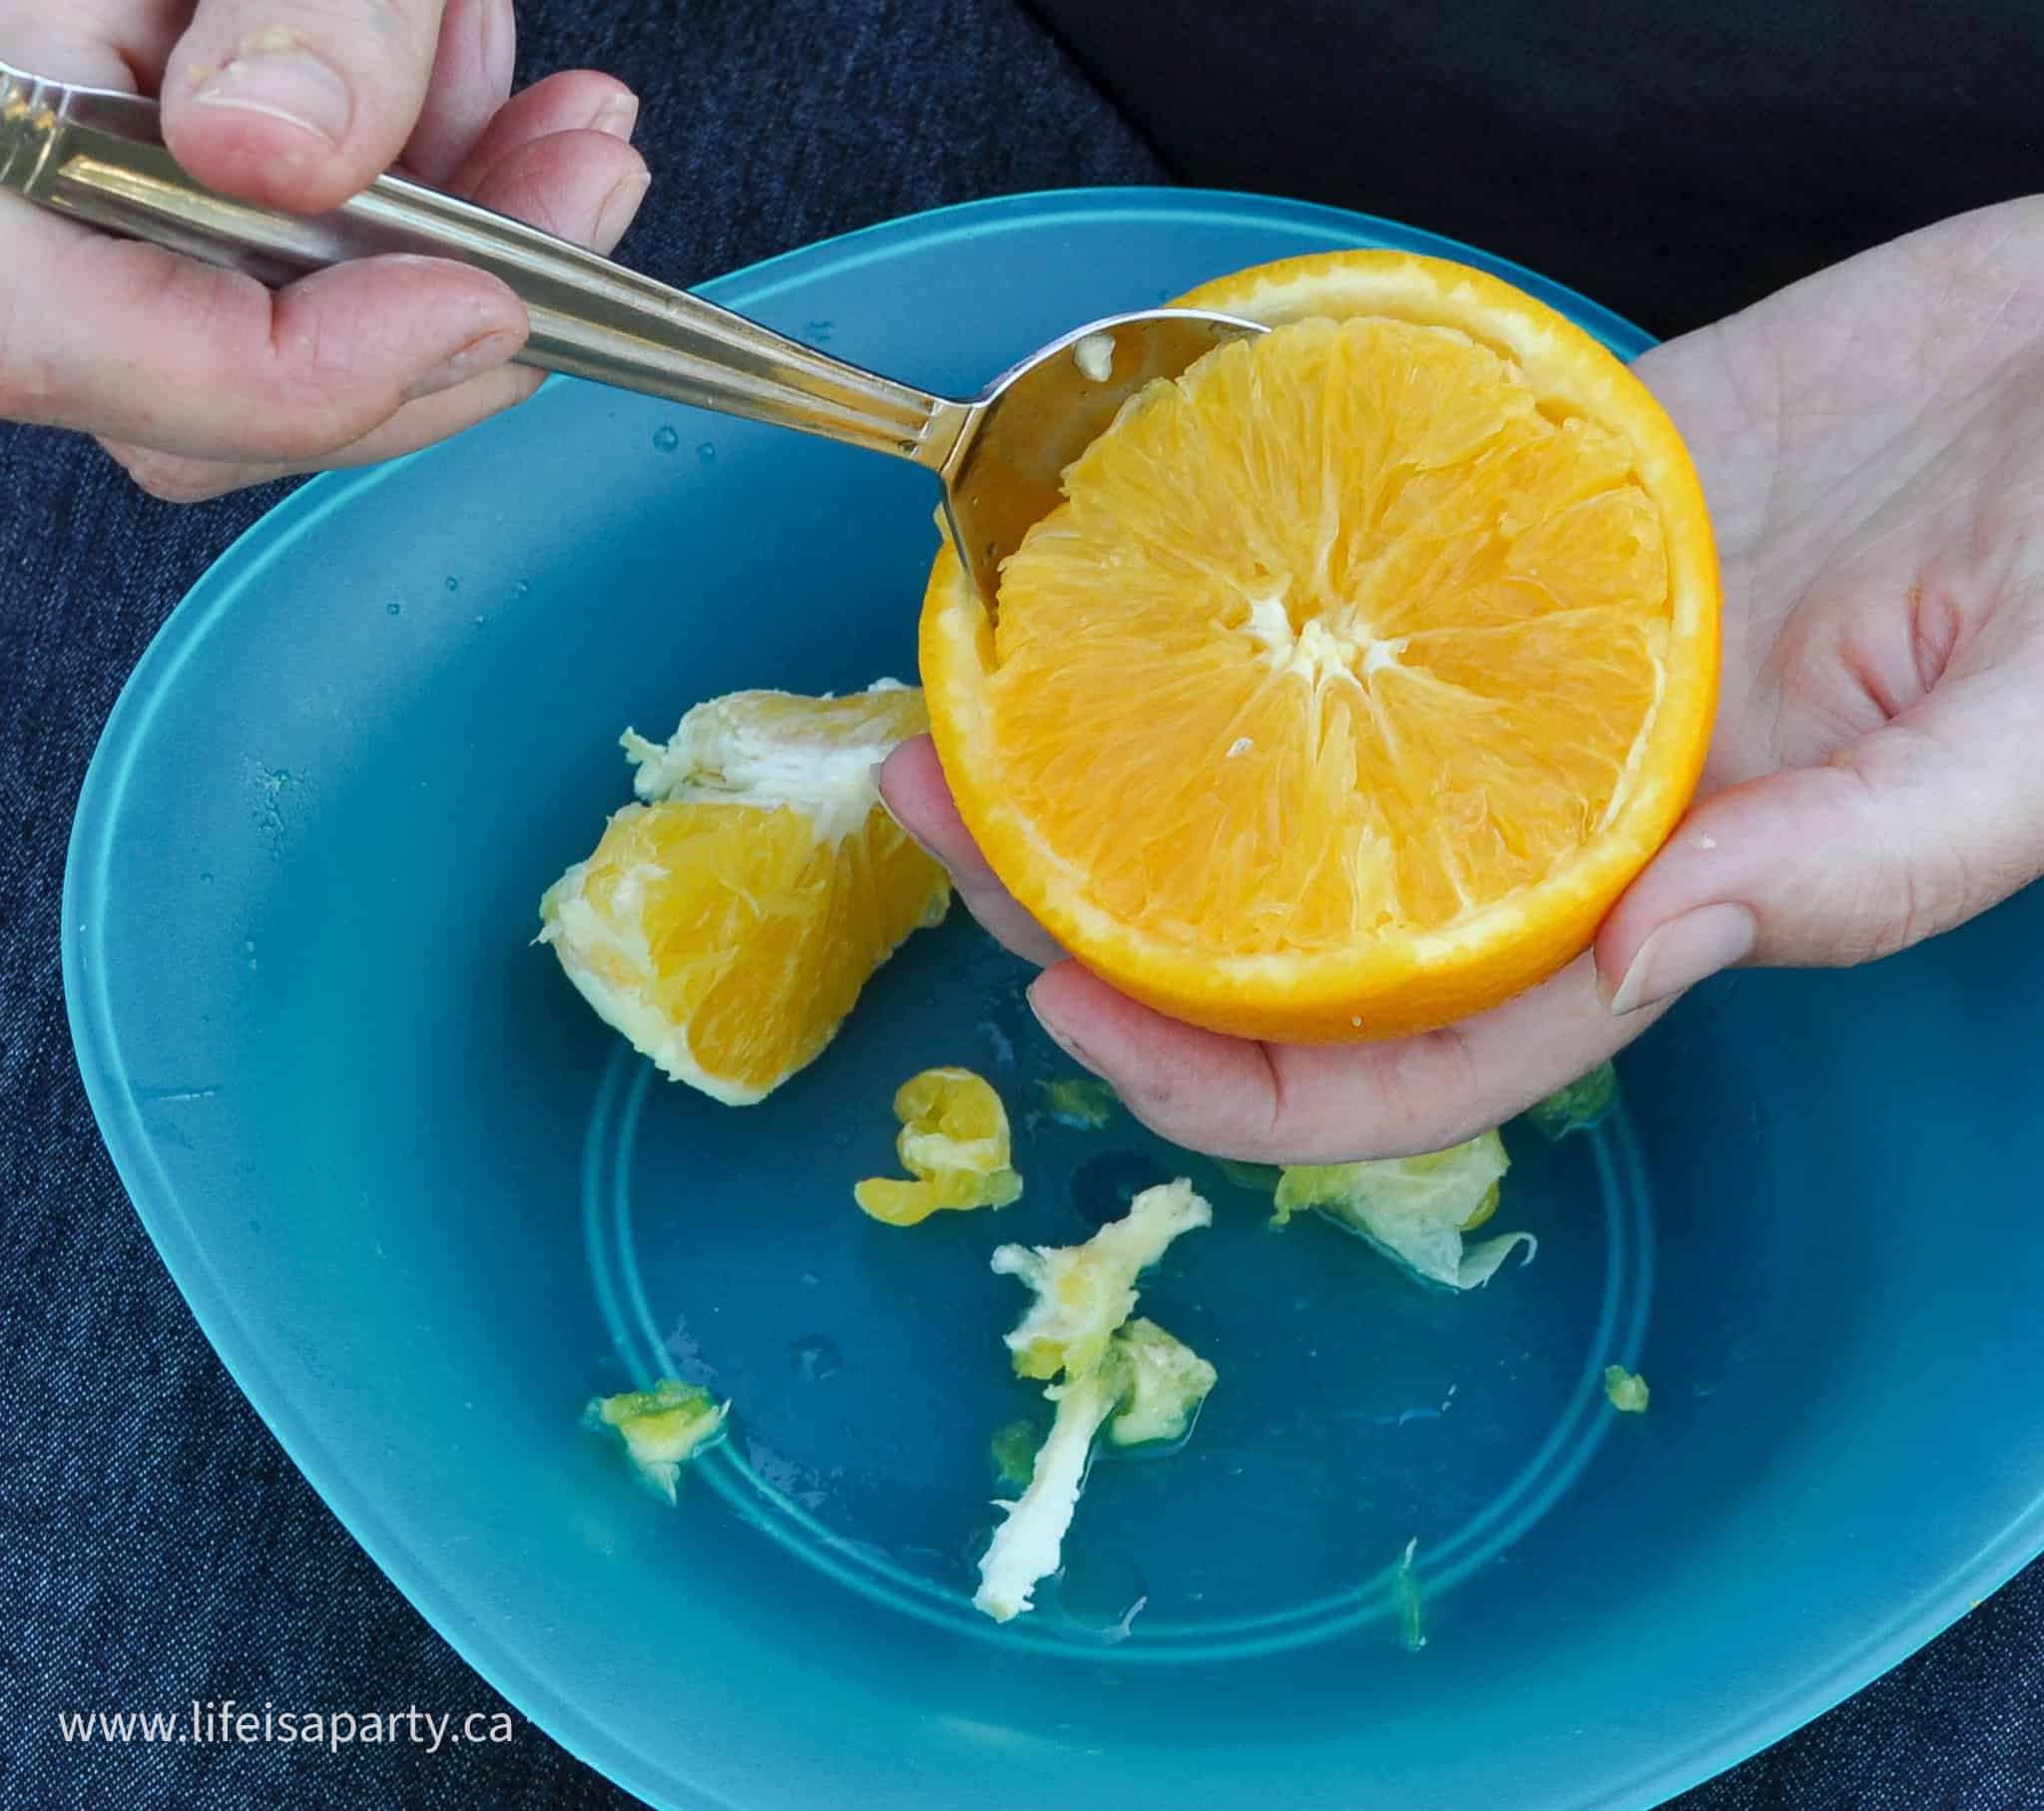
1904, 833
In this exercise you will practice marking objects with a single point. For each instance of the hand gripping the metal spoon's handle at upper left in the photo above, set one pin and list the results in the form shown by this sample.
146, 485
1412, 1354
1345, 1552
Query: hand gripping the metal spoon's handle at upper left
201, 381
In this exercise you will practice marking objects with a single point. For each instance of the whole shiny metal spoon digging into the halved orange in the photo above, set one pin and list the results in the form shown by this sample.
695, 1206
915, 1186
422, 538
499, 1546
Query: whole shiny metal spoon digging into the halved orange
99, 156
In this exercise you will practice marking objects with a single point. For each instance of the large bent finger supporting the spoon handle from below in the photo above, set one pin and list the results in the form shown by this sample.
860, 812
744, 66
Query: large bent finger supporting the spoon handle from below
138, 344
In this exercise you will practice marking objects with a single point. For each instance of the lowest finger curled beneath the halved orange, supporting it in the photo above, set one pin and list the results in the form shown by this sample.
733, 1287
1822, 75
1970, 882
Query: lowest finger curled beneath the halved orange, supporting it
1334, 1103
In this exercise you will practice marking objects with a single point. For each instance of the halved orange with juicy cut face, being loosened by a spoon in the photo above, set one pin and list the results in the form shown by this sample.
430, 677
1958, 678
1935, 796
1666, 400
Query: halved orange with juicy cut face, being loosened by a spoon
1360, 667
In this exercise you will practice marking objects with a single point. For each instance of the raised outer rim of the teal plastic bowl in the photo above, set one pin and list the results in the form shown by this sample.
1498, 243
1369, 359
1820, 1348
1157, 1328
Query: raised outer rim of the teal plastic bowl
115, 1109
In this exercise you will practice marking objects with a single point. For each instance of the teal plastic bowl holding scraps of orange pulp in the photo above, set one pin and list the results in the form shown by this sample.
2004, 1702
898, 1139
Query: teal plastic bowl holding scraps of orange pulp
424, 1205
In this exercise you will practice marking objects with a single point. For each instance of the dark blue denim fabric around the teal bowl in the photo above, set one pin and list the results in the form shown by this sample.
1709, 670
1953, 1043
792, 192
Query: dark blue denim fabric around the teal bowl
154, 1542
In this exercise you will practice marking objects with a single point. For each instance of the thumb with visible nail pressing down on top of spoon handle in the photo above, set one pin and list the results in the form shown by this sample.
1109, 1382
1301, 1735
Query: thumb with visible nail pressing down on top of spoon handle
299, 103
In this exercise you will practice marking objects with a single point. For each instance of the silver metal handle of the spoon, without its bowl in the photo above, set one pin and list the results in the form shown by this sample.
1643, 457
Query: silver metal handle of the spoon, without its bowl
99, 158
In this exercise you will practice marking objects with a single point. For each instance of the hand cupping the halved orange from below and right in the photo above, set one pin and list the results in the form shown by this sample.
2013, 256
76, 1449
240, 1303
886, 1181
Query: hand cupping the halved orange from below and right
1873, 451
